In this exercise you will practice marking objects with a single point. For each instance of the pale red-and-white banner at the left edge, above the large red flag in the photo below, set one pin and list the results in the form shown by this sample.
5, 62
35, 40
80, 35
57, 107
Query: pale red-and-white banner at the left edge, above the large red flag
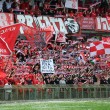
6, 19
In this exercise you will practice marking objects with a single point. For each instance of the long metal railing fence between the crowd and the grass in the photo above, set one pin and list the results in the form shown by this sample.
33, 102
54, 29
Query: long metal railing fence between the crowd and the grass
35, 92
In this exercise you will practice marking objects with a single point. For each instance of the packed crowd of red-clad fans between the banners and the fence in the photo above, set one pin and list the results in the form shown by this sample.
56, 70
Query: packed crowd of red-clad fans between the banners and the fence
72, 63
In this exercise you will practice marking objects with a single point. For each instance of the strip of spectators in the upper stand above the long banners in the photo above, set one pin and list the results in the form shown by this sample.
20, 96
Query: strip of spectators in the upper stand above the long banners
56, 8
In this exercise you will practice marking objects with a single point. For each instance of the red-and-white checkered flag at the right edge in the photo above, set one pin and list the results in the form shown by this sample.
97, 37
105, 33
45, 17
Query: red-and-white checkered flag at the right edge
99, 48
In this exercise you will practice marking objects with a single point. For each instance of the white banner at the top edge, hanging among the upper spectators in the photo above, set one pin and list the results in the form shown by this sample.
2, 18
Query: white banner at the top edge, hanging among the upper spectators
71, 4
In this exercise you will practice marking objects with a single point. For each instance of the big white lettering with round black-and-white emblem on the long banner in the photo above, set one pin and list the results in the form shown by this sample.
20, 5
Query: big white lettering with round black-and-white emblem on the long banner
59, 25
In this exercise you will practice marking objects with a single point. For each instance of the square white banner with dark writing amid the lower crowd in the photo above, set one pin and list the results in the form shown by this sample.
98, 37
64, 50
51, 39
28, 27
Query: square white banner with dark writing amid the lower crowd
47, 66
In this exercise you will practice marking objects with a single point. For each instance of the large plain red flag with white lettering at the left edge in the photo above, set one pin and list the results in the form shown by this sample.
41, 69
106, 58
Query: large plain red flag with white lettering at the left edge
8, 37
